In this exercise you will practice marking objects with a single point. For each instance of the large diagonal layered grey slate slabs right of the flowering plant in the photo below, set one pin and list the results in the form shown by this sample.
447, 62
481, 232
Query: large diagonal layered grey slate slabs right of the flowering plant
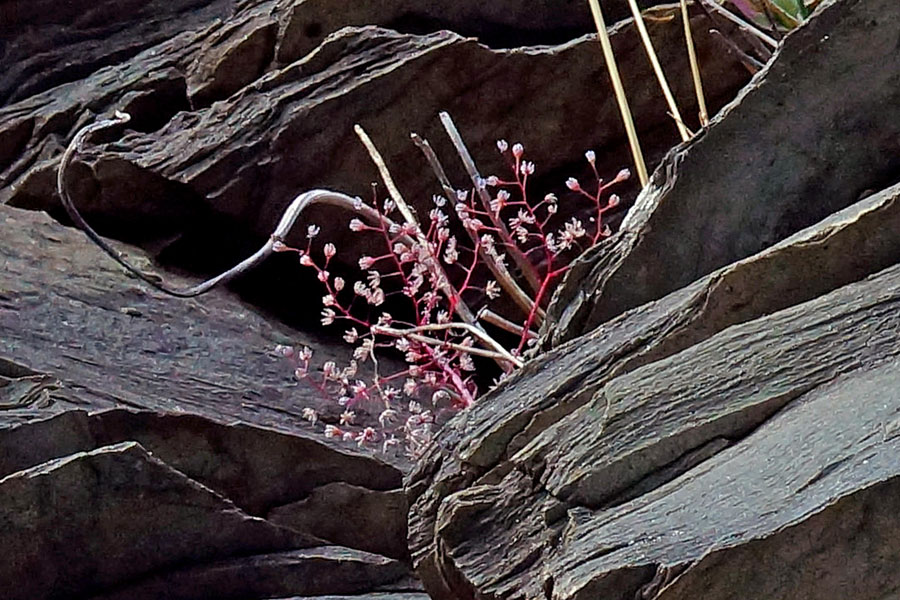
704, 437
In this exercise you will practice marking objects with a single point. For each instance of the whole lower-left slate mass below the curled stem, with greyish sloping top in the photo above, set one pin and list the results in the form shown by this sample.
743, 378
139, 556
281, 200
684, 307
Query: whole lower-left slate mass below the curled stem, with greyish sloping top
173, 491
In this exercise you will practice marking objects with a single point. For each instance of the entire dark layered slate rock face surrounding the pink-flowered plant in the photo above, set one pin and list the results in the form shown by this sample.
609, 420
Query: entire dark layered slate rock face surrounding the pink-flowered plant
718, 407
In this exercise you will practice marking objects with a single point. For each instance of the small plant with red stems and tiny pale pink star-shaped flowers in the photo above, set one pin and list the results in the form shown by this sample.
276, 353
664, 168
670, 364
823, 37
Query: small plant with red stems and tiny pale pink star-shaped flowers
440, 277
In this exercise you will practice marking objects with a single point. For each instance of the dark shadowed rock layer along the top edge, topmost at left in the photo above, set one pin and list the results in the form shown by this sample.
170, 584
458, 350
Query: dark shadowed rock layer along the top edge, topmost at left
39, 55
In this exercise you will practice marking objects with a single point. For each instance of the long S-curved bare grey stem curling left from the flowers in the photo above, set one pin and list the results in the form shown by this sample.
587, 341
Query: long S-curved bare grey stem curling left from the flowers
293, 211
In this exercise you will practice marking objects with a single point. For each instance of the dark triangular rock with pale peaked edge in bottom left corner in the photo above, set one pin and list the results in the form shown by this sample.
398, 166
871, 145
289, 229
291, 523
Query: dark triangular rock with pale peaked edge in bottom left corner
94, 519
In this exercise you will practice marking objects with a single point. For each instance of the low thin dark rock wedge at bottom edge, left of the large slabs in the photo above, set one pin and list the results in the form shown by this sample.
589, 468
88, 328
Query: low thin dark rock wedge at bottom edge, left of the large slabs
314, 572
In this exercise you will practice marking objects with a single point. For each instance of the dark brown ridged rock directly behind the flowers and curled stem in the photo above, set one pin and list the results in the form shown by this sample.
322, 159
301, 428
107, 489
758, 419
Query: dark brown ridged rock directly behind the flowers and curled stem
221, 141
